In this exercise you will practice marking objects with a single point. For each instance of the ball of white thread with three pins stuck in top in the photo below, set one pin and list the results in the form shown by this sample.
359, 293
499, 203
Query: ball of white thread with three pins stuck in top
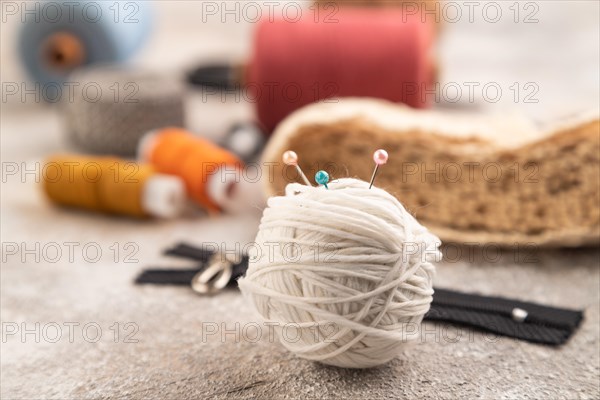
357, 300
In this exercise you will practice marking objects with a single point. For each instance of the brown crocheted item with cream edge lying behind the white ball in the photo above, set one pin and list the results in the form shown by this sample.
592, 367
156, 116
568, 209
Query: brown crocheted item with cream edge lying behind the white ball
470, 178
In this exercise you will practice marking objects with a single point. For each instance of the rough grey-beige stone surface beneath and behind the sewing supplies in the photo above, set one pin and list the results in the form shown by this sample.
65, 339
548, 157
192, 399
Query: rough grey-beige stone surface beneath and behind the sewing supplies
170, 359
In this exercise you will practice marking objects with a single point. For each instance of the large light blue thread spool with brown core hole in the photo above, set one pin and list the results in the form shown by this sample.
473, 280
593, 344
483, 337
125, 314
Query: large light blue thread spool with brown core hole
60, 36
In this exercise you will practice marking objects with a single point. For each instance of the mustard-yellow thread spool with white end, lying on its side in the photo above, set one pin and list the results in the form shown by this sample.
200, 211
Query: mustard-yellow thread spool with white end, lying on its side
113, 186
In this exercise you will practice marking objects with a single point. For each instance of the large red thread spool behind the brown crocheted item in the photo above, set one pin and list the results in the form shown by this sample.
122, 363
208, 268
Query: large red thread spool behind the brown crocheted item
374, 52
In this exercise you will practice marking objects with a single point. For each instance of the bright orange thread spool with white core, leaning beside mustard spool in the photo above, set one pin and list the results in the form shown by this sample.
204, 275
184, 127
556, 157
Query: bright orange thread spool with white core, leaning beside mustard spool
211, 173
